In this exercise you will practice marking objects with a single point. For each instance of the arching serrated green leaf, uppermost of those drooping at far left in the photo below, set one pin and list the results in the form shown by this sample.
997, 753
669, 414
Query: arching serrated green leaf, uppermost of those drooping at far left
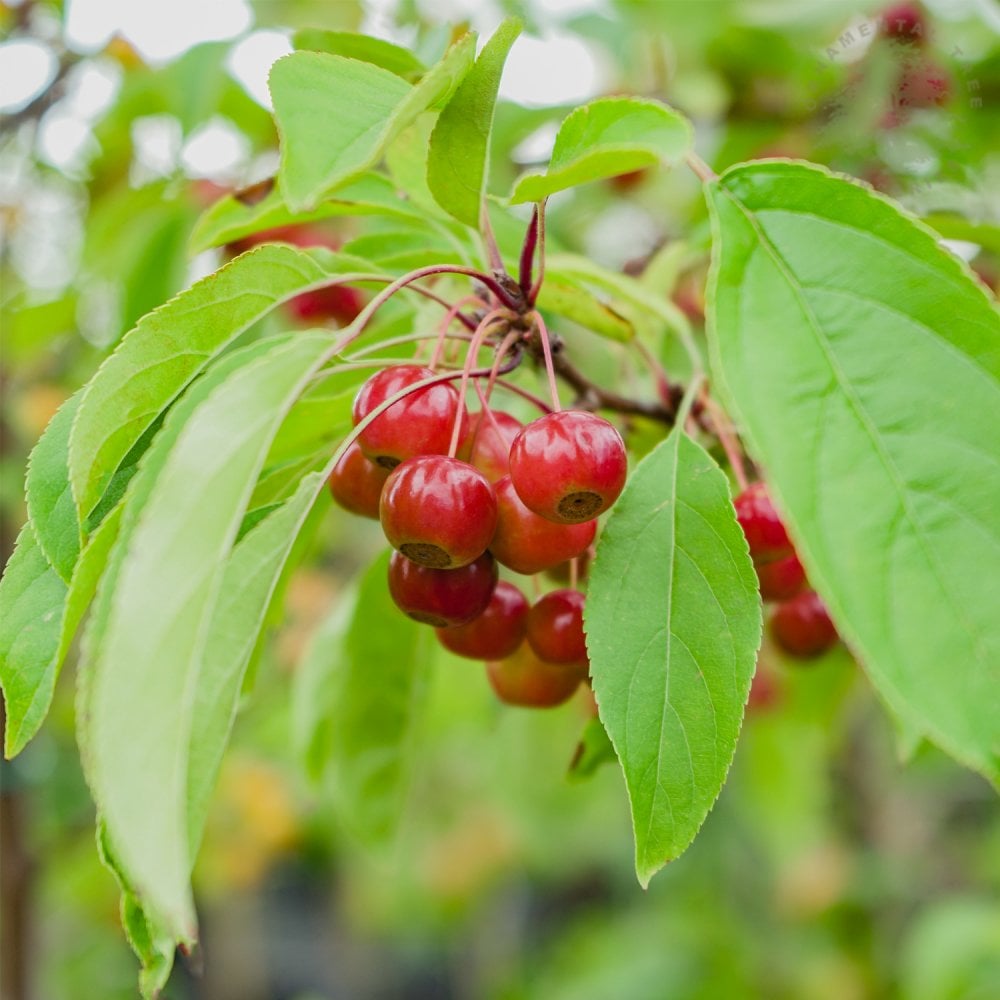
170, 346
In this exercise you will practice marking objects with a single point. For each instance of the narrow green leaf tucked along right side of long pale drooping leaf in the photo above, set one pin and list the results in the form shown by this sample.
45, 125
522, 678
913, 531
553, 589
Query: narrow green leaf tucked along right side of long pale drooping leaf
250, 578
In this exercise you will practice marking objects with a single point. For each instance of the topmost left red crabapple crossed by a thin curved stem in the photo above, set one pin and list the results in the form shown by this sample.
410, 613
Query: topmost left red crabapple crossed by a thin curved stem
418, 424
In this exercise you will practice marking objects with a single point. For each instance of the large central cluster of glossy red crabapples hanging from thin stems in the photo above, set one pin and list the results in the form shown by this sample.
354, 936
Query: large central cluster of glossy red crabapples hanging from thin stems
459, 495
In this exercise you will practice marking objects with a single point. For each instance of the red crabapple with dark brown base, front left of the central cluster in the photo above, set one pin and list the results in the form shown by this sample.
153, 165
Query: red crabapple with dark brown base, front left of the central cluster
438, 511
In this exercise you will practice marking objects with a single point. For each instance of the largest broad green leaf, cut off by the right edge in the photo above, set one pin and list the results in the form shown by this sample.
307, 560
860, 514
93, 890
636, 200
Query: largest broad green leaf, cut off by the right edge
863, 363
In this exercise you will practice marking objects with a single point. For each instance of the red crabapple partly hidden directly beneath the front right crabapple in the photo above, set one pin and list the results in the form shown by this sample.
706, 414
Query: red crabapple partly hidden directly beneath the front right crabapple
527, 543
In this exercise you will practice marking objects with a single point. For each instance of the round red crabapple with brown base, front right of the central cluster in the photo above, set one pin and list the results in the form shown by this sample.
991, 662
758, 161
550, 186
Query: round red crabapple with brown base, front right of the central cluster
569, 466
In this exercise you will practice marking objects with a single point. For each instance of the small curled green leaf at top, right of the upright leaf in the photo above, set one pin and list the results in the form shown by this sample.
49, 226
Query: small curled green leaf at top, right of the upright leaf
609, 136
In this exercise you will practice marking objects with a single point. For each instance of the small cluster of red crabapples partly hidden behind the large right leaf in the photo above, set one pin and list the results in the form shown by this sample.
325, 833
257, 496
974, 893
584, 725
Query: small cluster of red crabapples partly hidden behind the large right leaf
799, 622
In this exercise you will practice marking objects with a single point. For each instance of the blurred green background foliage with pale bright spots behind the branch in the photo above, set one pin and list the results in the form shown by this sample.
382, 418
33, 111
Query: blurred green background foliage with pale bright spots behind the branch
828, 869
